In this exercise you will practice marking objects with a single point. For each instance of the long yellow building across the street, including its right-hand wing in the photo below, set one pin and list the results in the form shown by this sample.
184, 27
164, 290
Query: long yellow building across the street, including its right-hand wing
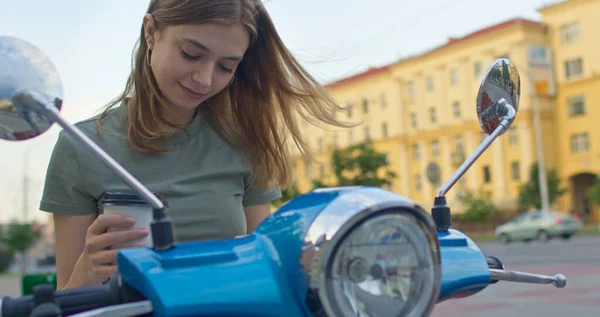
422, 109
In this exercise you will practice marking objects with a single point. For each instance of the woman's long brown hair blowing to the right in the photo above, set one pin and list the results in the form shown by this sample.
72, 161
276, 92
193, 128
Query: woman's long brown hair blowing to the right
258, 112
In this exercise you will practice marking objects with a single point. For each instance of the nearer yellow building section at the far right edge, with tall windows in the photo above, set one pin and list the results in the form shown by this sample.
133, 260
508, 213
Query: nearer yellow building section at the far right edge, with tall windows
573, 36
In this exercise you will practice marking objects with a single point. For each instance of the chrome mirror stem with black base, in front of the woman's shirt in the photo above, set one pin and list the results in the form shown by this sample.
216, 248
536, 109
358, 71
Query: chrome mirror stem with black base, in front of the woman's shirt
161, 227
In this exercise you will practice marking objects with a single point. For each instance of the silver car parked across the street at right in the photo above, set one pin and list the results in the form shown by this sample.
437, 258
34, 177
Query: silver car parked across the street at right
538, 225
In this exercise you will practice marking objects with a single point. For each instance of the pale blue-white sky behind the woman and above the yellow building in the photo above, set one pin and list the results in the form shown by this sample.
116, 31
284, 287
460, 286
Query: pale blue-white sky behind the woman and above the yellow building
91, 43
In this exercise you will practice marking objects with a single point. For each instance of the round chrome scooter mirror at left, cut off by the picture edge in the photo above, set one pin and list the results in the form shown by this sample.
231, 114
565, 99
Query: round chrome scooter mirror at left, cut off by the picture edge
25, 67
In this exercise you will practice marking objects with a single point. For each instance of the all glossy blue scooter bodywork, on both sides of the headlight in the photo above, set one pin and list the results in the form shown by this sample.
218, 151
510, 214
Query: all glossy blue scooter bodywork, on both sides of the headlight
260, 274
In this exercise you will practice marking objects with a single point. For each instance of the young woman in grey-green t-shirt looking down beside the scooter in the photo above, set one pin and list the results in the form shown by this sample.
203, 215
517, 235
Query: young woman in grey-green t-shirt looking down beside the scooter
205, 120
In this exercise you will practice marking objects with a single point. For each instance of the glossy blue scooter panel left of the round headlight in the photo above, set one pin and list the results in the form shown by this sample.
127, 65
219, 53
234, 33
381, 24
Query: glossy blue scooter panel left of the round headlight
258, 275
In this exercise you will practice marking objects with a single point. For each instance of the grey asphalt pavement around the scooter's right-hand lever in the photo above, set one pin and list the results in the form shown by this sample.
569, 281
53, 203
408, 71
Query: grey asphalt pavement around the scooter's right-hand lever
578, 259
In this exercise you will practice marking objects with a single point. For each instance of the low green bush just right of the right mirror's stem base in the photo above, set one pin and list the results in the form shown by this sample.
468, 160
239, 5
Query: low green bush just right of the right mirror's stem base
478, 206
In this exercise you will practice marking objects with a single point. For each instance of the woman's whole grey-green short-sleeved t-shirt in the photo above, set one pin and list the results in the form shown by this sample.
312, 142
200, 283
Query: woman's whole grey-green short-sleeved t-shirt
204, 179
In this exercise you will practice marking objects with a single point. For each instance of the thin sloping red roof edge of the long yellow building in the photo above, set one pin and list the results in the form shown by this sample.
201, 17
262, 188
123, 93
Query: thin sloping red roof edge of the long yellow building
451, 41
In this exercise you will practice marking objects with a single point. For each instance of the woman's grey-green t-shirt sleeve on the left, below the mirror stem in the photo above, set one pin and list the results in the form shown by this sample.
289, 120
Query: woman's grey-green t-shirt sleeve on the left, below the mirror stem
64, 188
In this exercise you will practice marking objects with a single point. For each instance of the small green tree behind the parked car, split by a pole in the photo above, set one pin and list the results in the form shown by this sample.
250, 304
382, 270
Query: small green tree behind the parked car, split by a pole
529, 193
